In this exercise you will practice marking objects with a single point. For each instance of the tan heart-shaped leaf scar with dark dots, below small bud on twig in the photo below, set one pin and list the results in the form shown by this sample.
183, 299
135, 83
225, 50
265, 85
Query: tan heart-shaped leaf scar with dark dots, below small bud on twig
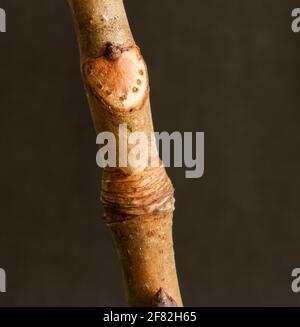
121, 84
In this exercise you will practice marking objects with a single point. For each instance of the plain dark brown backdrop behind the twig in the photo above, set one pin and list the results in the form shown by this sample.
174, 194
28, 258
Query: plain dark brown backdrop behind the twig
228, 68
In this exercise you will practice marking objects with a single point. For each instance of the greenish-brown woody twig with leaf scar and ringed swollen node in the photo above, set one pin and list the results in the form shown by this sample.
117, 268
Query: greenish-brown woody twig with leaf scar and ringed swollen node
138, 202
